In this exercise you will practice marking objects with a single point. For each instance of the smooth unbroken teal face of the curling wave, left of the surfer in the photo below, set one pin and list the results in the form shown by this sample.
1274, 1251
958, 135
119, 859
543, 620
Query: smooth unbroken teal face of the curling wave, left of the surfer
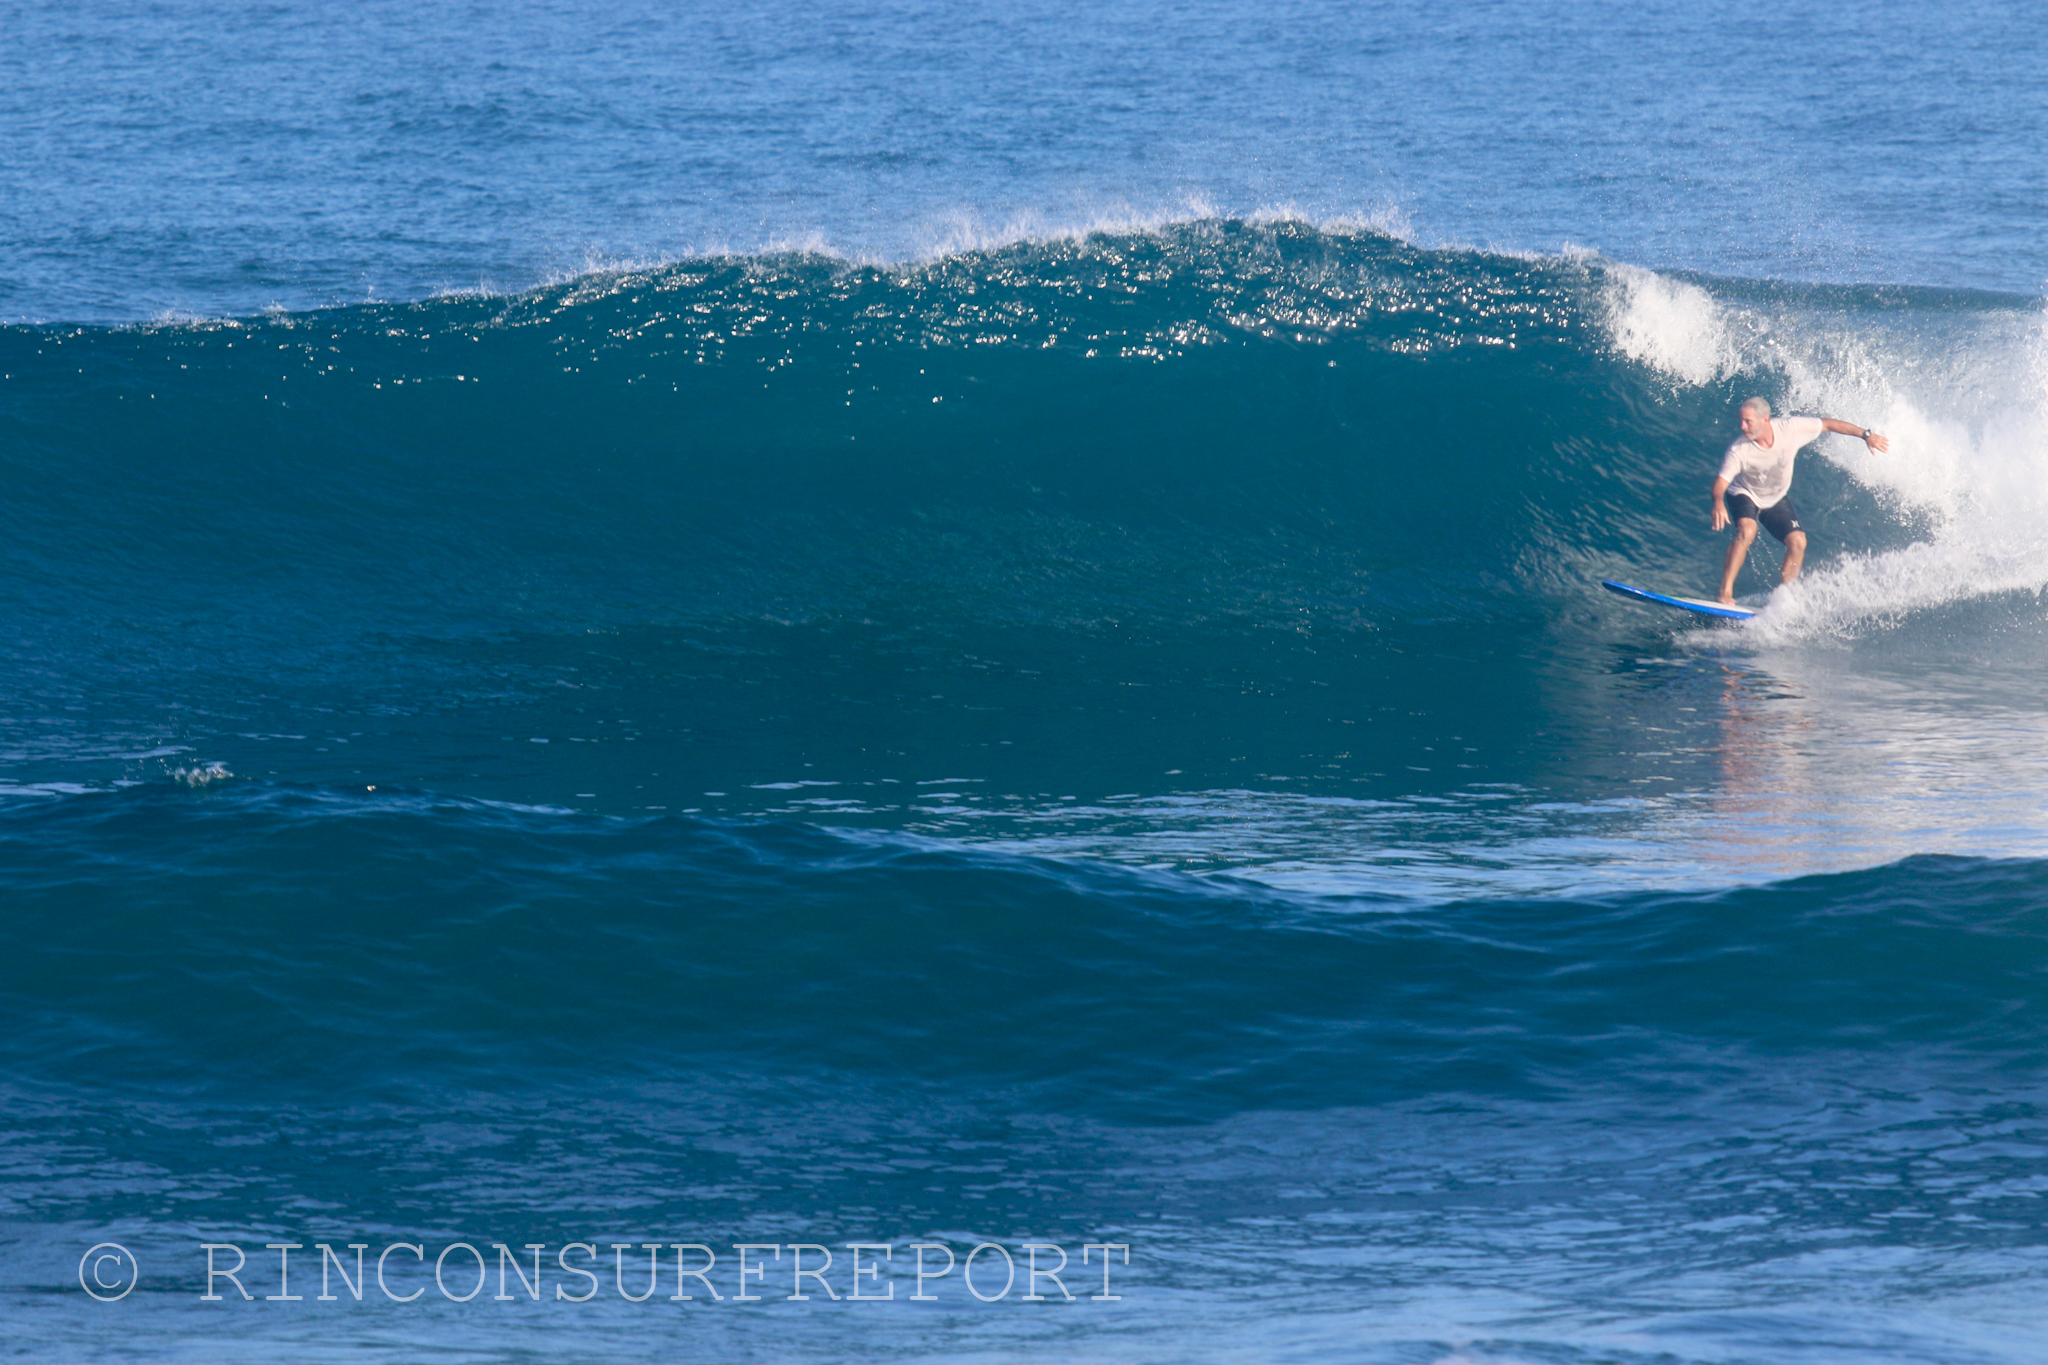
1054, 433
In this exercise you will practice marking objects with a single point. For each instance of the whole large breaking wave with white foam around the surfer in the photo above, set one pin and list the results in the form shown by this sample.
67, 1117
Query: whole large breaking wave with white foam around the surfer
1220, 509
